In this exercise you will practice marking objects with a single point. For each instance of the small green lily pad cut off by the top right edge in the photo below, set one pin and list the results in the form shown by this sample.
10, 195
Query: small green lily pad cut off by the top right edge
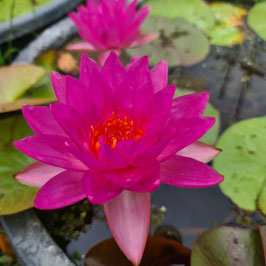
257, 19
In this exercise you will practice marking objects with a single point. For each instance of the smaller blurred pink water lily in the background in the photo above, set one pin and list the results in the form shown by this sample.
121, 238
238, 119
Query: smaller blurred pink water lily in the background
109, 25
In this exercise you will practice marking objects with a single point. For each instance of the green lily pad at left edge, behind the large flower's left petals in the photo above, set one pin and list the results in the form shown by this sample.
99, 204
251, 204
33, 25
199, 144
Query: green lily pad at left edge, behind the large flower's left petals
14, 197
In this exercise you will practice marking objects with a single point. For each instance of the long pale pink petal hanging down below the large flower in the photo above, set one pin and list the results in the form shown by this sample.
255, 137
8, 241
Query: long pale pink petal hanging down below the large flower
128, 216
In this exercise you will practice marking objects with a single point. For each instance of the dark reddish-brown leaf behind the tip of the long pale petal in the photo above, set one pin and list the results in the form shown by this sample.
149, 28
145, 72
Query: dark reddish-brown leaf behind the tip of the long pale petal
158, 250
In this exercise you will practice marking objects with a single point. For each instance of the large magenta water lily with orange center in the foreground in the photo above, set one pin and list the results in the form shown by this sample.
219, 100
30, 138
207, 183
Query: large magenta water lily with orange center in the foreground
113, 137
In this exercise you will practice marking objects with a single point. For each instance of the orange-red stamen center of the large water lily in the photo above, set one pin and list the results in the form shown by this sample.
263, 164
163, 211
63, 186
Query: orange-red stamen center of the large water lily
113, 131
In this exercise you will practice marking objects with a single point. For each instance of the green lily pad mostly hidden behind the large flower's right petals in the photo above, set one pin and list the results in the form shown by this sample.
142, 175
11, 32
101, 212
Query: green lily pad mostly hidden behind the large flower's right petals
211, 136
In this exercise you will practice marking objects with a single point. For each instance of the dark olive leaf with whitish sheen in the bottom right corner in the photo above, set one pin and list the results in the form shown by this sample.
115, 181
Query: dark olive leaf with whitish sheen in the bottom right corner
228, 246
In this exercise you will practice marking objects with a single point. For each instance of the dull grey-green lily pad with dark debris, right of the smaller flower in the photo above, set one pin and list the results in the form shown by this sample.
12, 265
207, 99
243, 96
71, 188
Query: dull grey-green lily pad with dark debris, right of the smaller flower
179, 42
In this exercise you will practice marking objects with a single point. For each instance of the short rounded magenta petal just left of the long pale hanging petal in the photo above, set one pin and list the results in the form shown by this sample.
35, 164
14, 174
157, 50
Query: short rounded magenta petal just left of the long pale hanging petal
98, 189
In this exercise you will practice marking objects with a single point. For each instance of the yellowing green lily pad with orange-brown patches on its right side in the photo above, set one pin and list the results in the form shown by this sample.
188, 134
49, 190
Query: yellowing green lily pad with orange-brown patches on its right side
225, 31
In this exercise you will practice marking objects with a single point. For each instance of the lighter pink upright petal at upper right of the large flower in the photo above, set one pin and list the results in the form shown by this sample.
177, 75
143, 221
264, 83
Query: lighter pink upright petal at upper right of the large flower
159, 76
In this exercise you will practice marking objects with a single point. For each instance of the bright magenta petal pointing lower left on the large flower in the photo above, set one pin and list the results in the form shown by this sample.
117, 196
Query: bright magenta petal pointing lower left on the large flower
60, 191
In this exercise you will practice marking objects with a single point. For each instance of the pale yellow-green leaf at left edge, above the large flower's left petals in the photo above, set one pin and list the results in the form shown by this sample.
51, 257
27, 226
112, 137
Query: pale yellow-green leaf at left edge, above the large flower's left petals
16, 80
